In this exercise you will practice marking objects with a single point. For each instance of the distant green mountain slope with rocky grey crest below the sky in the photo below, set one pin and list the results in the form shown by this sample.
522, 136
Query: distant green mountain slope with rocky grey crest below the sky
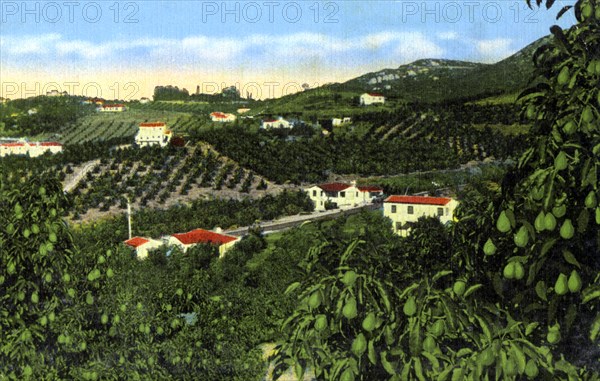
425, 80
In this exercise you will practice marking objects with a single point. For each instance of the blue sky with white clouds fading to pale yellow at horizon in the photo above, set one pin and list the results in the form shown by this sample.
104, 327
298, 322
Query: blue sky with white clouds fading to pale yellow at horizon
217, 43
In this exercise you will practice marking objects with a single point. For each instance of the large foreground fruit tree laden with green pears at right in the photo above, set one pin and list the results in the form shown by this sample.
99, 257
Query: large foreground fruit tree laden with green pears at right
518, 298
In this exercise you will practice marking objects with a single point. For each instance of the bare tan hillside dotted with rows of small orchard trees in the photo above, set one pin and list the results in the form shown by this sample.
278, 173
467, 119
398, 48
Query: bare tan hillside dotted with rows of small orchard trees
159, 178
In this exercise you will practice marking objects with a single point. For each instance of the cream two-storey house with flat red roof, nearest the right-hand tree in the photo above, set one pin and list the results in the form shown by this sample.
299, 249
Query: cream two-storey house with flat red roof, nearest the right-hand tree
403, 210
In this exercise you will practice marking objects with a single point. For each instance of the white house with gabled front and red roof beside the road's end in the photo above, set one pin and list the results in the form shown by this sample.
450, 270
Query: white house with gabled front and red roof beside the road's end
341, 194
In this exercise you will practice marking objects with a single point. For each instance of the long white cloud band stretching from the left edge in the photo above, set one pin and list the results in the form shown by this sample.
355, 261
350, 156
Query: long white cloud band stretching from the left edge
211, 50
